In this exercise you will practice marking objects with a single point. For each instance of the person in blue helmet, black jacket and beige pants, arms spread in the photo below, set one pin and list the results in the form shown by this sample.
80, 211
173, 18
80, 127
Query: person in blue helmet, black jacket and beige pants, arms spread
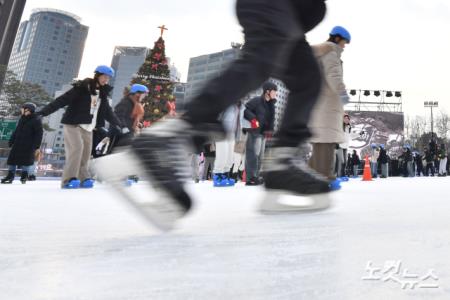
87, 108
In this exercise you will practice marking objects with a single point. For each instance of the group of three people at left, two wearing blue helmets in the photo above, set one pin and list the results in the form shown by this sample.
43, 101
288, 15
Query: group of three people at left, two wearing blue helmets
87, 109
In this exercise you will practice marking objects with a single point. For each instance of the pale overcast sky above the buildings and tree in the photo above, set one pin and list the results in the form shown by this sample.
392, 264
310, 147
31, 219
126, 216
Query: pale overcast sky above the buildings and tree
397, 44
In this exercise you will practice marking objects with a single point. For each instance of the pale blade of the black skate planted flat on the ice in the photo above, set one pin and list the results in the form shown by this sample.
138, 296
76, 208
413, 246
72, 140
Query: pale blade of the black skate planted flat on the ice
276, 202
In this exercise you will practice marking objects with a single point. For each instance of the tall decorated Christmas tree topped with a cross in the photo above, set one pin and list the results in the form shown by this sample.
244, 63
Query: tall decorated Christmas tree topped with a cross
155, 74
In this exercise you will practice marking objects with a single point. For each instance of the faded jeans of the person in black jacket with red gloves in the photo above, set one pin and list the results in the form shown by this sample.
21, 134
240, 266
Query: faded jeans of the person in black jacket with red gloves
253, 154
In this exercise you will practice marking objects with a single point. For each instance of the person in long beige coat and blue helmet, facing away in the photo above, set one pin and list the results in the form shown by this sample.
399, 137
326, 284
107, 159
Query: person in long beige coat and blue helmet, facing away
326, 119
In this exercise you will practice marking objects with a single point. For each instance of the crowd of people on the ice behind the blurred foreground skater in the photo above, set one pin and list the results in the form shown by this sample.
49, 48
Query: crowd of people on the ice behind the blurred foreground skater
238, 156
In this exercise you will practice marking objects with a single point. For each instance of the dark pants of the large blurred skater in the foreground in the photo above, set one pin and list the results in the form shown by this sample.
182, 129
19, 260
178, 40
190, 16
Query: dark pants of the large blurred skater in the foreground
275, 46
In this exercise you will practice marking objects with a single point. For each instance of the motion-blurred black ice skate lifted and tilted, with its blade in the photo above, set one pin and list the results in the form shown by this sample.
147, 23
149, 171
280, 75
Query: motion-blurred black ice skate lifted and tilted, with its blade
159, 157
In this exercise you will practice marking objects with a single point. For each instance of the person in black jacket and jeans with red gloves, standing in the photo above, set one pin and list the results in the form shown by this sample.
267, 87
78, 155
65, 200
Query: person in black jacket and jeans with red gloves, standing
260, 112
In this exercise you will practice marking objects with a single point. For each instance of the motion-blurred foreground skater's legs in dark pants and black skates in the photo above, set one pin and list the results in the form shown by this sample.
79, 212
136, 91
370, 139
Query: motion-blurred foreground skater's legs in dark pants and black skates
275, 46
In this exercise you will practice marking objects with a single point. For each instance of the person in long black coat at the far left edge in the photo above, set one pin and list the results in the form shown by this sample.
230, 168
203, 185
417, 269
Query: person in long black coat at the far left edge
25, 143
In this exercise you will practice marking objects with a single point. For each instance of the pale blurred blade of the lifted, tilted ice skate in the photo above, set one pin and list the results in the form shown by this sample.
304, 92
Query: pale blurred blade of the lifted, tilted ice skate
153, 204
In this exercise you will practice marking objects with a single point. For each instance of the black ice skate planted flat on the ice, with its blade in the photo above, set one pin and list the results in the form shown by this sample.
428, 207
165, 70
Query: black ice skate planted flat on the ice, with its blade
291, 185
